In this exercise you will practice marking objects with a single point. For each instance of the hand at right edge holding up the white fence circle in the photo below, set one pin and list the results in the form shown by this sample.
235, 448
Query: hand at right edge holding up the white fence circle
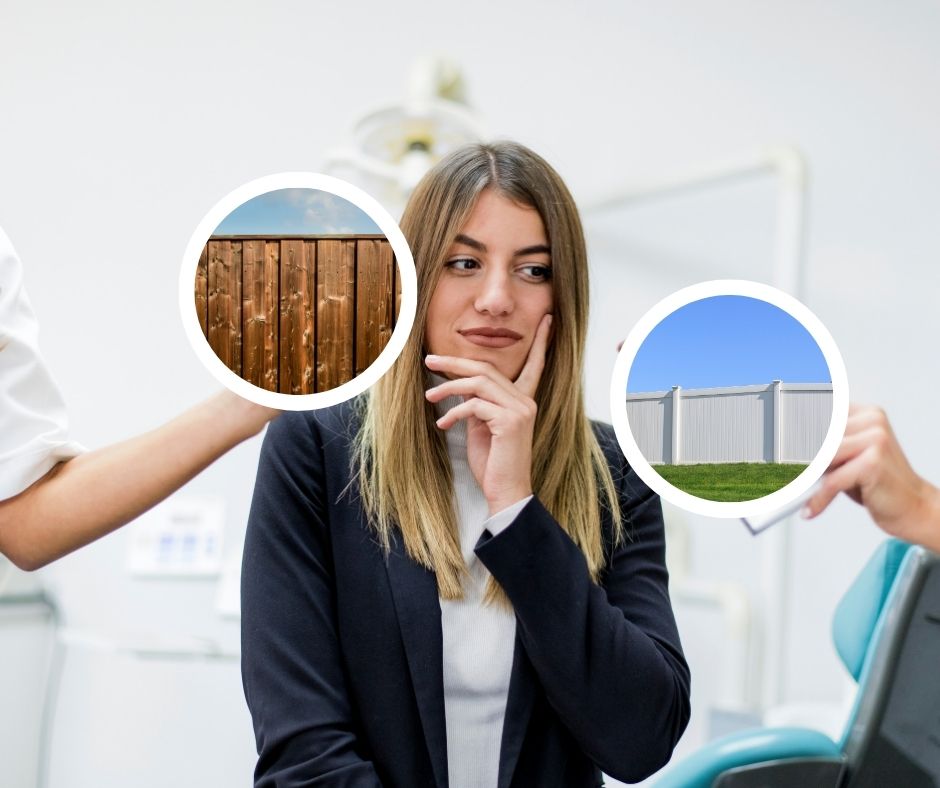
870, 468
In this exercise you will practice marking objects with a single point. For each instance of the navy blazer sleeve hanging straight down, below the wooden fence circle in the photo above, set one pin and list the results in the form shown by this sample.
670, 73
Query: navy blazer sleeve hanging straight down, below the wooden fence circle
291, 664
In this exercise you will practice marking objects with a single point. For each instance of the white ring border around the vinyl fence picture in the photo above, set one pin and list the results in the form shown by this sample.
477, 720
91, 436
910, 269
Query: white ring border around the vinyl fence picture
774, 501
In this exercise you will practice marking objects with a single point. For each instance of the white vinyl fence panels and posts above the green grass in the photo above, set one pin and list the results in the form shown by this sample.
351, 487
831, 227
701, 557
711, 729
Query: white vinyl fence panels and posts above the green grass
775, 422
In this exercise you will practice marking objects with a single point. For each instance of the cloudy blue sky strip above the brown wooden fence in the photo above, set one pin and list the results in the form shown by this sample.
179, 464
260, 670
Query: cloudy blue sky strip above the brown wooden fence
296, 212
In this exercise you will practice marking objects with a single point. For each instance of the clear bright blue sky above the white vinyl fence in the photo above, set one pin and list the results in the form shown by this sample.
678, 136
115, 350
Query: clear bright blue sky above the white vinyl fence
726, 341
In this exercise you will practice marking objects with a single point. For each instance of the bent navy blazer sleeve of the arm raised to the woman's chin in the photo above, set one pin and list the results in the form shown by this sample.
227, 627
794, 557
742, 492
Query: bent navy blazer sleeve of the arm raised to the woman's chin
608, 656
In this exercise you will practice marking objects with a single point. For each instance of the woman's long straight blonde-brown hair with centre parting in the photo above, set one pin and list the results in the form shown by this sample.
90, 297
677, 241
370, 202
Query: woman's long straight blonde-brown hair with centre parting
400, 457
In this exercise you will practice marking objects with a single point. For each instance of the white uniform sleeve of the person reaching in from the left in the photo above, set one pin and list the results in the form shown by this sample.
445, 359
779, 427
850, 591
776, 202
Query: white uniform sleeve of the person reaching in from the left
33, 420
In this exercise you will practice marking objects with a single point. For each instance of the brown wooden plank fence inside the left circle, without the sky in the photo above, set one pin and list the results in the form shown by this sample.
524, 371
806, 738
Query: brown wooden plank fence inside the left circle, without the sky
297, 314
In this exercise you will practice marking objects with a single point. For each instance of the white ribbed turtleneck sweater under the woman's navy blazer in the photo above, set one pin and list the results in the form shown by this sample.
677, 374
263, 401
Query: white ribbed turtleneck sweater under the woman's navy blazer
479, 639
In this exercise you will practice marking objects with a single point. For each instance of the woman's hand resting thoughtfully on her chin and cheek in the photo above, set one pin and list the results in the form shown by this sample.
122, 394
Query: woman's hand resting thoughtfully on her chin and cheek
500, 416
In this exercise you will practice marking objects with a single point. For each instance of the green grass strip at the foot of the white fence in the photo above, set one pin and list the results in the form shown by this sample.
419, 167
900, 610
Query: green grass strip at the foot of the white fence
732, 481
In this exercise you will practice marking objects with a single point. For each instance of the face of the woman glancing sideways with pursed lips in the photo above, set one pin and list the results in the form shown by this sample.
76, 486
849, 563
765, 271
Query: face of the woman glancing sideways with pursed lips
495, 287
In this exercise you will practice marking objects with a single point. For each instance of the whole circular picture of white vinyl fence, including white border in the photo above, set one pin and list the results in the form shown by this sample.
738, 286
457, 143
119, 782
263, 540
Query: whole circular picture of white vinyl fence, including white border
729, 399
